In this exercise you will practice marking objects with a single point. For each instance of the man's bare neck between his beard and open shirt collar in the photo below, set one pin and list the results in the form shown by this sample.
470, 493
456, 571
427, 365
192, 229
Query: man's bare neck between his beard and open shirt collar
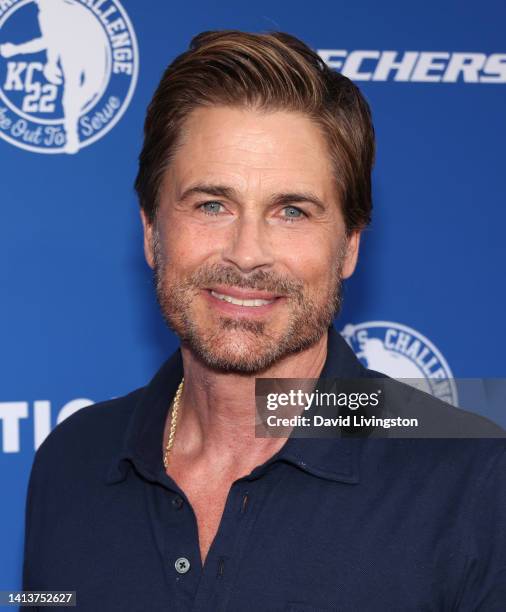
217, 410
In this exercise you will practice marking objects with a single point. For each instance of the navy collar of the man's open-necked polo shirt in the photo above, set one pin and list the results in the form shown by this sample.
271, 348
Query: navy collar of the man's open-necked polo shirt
330, 458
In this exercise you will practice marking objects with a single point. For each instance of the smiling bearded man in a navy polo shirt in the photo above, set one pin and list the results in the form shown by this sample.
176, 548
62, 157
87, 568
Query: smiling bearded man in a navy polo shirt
254, 185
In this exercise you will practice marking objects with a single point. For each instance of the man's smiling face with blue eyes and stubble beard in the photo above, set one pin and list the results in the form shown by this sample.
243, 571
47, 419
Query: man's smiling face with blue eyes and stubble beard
248, 211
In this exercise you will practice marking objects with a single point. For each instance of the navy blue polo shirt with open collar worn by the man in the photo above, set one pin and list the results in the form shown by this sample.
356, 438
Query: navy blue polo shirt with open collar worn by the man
324, 525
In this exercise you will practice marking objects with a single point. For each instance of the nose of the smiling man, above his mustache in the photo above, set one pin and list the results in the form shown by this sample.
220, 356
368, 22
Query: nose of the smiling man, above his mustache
249, 244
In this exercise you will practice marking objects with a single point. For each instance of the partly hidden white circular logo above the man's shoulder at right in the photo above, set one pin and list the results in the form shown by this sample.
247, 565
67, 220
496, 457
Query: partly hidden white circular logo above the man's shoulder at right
401, 352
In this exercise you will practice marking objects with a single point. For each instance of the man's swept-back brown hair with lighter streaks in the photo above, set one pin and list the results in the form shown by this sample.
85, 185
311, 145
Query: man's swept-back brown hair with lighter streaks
273, 71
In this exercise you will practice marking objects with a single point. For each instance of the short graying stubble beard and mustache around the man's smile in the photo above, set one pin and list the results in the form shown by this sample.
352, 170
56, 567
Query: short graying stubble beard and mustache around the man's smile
308, 320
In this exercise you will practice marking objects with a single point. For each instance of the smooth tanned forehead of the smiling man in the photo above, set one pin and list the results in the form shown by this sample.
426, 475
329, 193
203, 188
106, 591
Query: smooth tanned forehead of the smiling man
251, 148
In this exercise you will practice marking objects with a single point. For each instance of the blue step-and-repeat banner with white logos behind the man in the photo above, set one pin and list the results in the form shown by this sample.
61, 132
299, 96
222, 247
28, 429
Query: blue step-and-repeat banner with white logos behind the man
78, 316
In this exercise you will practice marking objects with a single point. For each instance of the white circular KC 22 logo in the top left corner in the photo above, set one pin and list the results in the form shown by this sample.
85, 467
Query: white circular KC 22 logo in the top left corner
68, 70
